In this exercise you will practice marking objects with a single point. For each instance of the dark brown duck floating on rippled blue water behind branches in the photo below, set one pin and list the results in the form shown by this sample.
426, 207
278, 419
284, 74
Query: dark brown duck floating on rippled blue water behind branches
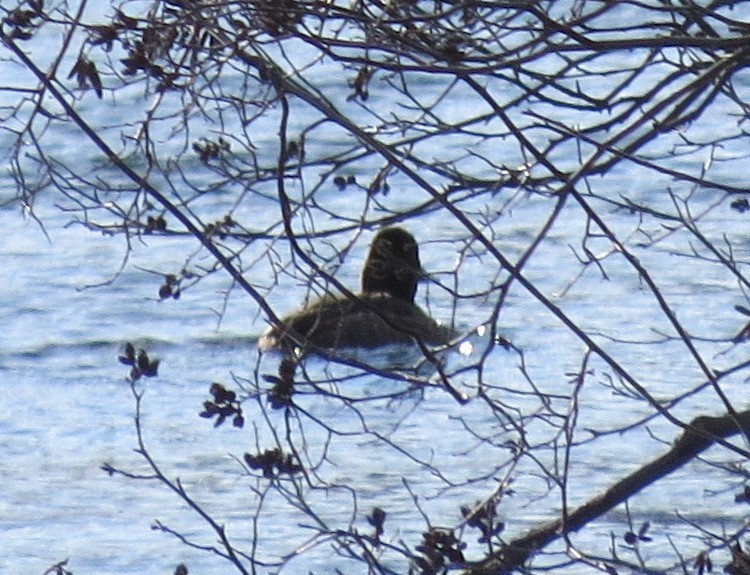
383, 313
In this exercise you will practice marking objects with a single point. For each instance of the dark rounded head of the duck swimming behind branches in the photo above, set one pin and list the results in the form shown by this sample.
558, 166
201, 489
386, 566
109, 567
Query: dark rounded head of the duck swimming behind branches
392, 265
